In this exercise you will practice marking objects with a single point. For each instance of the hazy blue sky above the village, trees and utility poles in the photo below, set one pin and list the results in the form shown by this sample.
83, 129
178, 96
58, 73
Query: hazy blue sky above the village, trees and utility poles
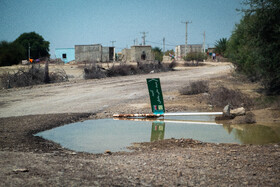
65, 23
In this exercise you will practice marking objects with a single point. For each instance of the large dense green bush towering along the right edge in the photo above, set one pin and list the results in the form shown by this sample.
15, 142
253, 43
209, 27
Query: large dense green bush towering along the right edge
254, 44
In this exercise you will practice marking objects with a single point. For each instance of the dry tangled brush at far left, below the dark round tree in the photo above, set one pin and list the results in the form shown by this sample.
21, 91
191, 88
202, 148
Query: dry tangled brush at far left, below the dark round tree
31, 76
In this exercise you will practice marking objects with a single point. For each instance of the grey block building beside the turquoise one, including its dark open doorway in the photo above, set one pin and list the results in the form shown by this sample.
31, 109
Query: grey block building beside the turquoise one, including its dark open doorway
94, 52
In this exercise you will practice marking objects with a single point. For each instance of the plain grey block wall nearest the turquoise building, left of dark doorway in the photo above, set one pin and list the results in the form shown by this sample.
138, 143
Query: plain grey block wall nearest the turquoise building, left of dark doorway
88, 53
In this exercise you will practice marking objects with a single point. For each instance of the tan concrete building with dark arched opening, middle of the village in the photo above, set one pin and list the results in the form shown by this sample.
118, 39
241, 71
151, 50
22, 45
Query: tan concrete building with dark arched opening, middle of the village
138, 53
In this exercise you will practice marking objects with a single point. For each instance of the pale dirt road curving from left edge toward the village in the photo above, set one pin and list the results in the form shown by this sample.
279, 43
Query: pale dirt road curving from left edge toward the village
91, 96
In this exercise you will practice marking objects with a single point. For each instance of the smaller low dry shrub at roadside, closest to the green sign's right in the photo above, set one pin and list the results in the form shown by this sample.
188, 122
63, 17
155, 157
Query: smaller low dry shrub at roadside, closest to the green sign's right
195, 88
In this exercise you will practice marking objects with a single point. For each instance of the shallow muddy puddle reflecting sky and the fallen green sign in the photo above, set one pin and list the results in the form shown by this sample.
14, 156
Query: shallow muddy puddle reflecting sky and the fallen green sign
96, 136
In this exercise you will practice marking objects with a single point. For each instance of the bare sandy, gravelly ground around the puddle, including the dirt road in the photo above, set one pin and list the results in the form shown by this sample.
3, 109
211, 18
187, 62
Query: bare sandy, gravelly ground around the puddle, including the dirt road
32, 161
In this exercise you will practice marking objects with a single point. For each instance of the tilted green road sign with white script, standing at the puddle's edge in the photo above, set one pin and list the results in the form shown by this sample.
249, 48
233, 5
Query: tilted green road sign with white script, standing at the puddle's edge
156, 96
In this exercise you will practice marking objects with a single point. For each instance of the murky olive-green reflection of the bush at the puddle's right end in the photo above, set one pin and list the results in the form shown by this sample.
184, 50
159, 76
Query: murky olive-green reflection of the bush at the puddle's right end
254, 134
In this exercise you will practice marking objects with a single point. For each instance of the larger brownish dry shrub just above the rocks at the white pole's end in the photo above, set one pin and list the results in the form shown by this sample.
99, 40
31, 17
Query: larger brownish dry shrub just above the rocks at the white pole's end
222, 96
